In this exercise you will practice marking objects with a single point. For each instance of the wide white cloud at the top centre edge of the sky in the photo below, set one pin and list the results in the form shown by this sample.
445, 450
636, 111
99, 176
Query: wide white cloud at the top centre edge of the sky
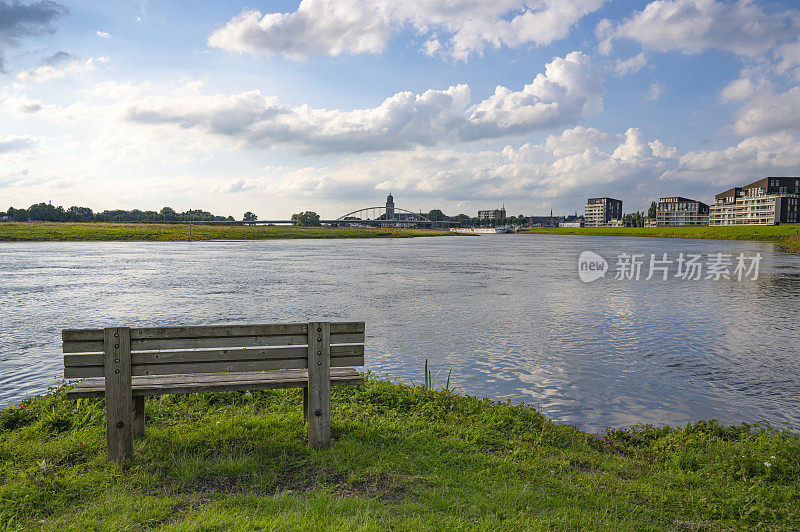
464, 27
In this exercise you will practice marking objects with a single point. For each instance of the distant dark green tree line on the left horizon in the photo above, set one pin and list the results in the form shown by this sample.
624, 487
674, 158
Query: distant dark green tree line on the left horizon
45, 212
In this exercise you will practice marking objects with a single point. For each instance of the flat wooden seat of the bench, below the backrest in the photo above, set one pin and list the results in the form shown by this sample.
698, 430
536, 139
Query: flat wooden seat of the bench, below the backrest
214, 382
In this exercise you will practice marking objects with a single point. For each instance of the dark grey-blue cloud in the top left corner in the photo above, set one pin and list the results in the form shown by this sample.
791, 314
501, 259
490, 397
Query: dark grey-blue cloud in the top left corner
19, 20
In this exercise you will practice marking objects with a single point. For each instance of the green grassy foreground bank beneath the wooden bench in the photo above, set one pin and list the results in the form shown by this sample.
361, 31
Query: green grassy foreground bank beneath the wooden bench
402, 458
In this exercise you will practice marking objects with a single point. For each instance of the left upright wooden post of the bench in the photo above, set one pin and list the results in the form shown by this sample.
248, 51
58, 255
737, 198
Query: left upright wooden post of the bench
119, 436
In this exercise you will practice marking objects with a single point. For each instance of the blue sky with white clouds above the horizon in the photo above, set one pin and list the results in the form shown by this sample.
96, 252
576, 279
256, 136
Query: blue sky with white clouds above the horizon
328, 105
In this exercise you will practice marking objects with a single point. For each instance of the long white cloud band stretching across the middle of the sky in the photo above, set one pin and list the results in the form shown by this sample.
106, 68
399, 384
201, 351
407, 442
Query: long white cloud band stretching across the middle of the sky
570, 88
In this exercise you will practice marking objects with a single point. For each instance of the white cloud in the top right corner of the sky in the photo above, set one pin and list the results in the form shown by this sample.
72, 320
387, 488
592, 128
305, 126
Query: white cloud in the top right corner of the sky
693, 26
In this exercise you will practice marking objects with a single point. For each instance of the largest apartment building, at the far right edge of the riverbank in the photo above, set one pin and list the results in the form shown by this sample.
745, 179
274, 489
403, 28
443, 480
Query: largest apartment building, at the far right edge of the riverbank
768, 201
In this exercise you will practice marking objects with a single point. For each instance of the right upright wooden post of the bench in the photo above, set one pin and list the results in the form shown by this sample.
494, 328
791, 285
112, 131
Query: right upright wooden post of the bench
319, 384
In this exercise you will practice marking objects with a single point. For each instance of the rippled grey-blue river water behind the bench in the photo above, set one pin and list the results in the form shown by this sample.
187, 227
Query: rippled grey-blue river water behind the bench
507, 314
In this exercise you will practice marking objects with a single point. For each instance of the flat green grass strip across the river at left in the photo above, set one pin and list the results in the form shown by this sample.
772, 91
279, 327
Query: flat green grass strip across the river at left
45, 231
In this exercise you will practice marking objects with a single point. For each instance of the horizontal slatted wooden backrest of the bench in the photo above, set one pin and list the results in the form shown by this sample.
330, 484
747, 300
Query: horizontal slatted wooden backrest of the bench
211, 349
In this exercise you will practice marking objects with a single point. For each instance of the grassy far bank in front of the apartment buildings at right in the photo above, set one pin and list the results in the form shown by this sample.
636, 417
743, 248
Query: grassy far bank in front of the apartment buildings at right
785, 235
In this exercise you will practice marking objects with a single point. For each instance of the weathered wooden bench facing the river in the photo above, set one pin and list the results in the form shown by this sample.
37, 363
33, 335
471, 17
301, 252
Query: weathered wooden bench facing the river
125, 365
